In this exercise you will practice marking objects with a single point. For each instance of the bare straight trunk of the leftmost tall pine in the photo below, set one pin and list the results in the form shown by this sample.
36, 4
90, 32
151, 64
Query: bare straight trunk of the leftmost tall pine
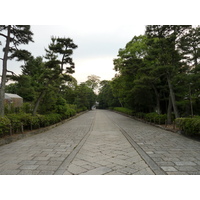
4, 70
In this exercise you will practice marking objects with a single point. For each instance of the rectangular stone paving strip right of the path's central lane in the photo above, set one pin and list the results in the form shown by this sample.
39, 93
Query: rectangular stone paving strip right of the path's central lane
172, 152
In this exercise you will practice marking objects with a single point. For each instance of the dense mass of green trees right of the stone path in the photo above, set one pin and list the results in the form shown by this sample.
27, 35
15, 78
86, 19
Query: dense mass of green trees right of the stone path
158, 72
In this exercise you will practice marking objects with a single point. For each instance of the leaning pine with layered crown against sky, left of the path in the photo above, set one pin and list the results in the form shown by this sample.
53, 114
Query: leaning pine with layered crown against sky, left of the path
58, 66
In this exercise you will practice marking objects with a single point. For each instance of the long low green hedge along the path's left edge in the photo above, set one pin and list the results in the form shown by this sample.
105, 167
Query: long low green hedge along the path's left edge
17, 122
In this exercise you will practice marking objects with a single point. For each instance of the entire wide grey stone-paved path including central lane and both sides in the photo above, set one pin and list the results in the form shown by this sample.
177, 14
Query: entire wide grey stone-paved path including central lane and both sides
102, 142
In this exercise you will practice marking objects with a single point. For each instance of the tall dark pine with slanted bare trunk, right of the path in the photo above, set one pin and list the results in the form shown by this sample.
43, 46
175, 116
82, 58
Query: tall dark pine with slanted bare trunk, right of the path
164, 42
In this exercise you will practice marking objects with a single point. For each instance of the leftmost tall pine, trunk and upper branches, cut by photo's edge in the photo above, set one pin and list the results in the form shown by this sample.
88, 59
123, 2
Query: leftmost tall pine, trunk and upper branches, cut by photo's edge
14, 35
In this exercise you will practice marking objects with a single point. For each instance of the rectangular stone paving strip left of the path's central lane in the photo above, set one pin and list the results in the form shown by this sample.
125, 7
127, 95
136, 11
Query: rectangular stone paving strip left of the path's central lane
45, 152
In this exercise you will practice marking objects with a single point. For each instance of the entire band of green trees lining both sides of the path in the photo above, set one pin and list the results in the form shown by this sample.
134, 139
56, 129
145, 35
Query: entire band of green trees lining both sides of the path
158, 71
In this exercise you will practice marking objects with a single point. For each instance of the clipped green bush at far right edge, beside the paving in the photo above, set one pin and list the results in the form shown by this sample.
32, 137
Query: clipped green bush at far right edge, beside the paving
189, 126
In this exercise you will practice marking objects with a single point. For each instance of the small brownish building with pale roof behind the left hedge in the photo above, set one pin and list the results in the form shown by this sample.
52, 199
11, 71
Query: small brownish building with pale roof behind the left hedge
13, 99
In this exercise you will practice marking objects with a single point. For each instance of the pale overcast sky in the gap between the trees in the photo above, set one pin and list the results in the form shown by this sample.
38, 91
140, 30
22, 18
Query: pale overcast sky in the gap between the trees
97, 45
